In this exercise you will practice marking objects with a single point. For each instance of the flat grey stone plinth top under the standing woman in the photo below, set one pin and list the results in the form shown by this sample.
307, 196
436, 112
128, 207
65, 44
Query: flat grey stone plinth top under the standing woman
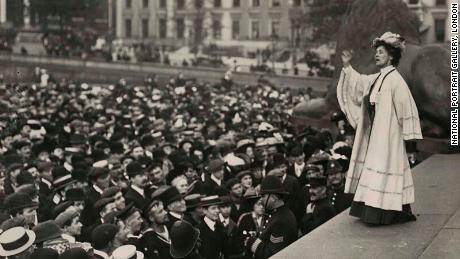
435, 234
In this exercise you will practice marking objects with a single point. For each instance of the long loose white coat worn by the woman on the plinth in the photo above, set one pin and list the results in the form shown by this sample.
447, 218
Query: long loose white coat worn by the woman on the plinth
379, 173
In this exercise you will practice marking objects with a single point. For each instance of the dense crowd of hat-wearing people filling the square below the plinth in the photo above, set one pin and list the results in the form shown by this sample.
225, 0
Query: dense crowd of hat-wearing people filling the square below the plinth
174, 170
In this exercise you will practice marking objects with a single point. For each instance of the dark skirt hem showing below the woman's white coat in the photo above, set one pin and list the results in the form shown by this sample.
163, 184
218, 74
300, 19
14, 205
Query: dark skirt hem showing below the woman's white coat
379, 216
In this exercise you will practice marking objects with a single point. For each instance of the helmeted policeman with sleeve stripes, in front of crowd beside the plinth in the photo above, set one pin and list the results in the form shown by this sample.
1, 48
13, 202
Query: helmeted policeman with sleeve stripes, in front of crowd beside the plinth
281, 227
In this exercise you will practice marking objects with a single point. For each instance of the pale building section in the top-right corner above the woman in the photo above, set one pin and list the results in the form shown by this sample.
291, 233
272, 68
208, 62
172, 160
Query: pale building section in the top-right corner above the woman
435, 18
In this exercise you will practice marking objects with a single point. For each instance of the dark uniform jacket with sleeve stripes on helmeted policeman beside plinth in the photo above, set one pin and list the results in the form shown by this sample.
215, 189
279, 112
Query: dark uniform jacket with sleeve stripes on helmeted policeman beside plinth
280, 231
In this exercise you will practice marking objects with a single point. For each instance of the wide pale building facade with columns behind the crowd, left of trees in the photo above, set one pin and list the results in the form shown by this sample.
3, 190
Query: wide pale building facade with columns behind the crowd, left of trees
223, 22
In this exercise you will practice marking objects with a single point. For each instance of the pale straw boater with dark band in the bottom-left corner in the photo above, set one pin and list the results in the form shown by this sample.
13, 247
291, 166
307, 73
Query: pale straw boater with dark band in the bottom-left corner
15, 240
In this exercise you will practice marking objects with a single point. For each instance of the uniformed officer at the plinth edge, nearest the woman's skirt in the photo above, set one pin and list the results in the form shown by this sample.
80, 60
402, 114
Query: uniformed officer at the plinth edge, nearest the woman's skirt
340, 200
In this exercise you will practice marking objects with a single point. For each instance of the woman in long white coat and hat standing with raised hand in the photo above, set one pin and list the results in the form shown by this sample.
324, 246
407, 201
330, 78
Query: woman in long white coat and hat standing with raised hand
381, 109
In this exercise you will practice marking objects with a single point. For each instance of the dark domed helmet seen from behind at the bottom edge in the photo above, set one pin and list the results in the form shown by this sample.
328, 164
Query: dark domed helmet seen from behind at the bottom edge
183, 239
